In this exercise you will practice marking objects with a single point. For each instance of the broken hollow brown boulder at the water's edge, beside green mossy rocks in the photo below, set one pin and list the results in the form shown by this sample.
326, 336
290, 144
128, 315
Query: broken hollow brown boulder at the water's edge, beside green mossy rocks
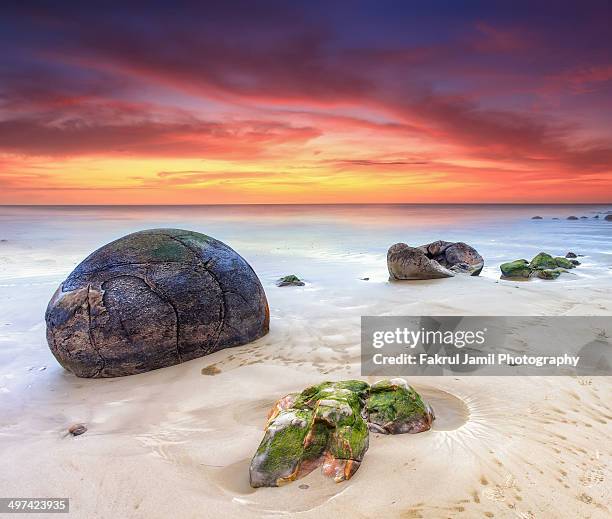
439, 259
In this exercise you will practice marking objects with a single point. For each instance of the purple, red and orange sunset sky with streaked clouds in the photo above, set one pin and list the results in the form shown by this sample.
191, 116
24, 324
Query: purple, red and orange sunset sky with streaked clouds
306, 102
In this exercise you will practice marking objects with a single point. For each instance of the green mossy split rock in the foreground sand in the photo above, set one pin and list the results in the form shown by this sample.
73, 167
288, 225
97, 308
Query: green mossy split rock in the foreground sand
328, 425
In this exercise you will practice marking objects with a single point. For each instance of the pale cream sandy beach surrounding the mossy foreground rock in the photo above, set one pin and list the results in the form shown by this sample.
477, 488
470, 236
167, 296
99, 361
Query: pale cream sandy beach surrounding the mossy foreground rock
178, 442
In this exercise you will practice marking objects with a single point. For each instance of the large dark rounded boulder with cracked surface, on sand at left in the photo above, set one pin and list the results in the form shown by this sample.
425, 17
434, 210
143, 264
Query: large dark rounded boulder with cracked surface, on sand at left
152, 299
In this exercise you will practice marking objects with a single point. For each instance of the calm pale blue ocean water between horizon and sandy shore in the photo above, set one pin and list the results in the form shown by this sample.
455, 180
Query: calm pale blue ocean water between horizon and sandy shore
323, 243
